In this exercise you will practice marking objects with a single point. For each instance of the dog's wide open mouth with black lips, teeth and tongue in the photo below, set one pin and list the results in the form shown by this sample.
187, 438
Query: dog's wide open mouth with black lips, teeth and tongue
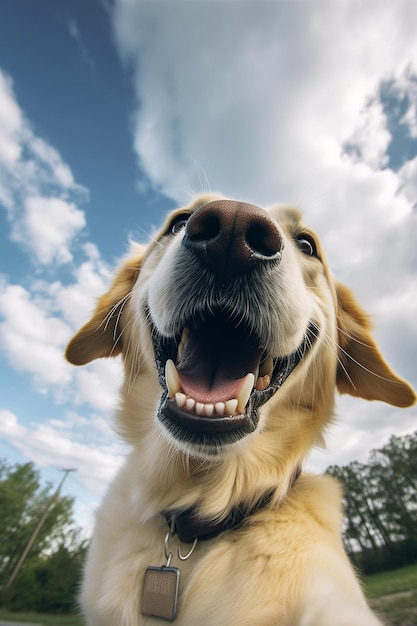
215, 376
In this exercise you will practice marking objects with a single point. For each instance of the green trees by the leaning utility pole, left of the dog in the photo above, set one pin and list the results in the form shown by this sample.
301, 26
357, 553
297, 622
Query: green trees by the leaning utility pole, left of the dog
50, 574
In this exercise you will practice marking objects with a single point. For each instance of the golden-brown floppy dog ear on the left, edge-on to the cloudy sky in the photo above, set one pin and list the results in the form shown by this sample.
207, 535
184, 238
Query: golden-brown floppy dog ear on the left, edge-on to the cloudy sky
100, 336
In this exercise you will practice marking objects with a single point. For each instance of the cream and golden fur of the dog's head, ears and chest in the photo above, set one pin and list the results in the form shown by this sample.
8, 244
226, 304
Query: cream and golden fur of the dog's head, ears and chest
286, 565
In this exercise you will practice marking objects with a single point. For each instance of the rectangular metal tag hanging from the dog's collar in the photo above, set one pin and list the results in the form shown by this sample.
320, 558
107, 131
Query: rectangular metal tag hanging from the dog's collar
160, 592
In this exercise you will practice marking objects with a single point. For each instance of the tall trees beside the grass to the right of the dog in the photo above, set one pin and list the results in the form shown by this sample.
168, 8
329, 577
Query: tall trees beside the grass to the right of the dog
381, 505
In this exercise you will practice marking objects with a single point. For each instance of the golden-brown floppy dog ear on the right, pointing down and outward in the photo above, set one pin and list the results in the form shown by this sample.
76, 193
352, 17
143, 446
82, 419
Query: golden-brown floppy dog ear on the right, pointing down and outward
362, 370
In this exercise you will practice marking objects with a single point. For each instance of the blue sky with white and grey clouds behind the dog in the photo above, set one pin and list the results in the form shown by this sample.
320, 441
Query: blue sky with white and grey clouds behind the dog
114, 113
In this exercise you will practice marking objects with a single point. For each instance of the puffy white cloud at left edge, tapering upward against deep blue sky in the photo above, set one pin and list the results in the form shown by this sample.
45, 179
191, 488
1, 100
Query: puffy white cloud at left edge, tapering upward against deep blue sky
37, 187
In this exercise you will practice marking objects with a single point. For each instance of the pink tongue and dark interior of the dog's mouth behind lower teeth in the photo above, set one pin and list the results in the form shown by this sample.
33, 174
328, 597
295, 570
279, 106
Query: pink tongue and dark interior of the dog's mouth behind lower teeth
215, 359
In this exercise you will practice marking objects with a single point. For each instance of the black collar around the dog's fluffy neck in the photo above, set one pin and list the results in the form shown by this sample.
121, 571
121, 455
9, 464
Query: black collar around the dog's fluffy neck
188, 527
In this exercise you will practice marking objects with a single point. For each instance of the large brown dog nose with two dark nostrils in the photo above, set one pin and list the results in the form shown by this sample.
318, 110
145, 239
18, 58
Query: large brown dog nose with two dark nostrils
231, 237
